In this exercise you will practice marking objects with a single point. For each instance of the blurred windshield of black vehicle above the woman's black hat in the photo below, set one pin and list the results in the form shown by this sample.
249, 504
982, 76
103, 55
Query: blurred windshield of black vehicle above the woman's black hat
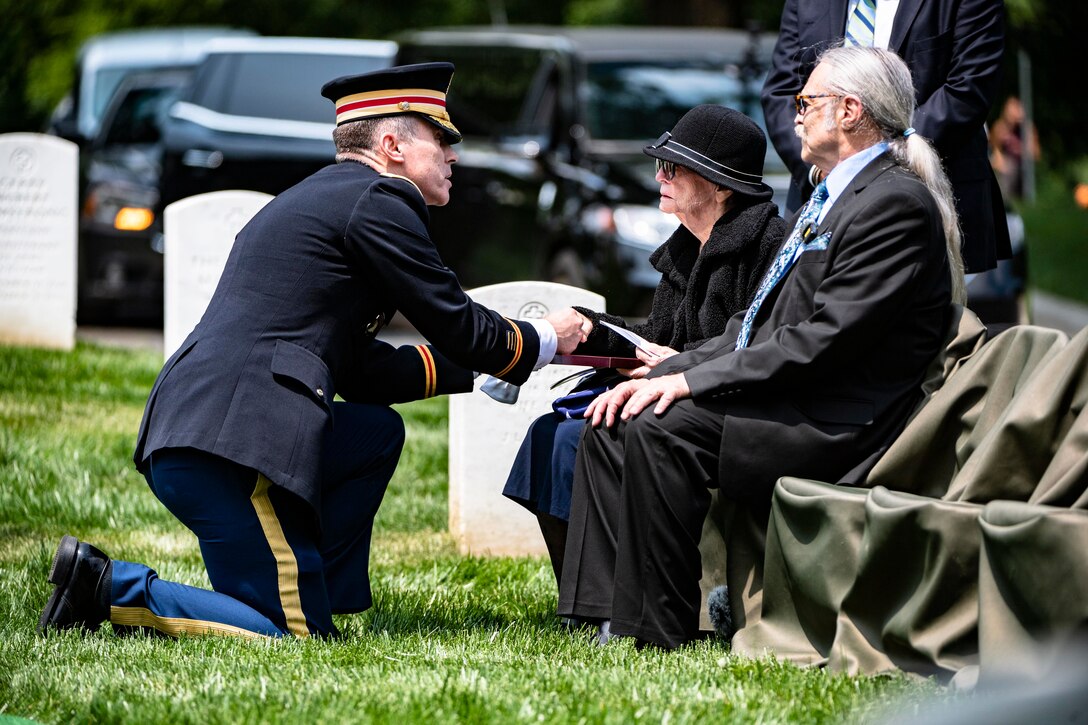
629, 102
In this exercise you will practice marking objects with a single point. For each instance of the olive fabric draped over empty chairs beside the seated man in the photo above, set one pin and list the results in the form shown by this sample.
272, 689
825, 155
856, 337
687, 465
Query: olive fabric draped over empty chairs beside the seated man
910, 574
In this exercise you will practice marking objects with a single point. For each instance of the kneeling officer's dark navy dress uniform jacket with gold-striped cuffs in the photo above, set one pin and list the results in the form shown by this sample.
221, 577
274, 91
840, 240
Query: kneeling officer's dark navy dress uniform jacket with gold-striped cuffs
310, 282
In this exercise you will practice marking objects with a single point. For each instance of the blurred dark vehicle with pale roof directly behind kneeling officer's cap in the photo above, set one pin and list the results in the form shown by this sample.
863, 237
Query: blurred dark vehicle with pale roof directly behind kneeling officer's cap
254, 117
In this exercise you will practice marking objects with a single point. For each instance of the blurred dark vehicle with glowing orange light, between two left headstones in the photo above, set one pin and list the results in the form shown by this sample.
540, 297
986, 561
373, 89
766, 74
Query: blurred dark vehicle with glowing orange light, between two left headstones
120, 261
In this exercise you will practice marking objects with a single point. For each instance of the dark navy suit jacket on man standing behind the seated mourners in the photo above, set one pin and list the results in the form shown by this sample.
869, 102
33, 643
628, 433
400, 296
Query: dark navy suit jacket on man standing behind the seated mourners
954, 50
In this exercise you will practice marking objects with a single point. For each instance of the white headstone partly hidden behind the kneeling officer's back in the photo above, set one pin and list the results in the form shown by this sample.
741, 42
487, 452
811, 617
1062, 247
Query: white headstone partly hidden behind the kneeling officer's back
200, 234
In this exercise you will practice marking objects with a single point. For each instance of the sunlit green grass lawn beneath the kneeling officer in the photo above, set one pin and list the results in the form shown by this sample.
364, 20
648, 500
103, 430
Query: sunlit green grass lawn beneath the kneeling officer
450, 638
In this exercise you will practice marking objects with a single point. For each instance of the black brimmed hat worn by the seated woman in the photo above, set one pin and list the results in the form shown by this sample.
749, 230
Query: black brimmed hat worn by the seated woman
720, 144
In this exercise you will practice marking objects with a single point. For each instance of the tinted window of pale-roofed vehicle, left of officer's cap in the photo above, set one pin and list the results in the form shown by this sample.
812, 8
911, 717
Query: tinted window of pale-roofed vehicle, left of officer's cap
287, 85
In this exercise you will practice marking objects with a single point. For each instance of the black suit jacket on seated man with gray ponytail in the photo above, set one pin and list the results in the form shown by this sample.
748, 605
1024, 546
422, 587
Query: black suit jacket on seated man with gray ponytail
838, 349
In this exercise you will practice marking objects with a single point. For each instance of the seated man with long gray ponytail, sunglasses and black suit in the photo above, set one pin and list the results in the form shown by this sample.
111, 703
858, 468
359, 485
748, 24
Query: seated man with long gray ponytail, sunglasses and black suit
815, 380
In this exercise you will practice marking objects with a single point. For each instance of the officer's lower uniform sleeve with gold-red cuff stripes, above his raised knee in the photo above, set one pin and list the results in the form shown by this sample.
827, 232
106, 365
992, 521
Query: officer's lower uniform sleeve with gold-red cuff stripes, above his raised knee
400, 375
